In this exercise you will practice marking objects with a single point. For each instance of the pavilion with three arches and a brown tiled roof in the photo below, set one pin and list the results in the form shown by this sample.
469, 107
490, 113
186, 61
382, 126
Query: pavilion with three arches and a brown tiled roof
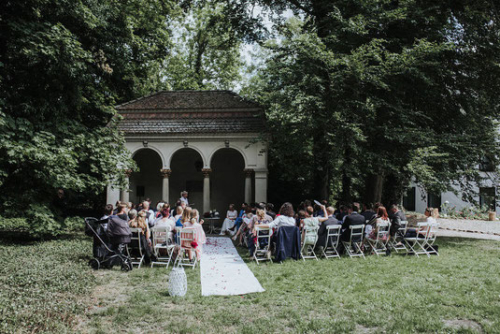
208, 143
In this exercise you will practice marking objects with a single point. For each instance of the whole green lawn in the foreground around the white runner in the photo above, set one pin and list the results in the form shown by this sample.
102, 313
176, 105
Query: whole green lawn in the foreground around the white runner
48, 287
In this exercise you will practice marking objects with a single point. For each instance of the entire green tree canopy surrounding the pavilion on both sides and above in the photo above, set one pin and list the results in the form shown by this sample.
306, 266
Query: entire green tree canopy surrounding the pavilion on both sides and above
368, 94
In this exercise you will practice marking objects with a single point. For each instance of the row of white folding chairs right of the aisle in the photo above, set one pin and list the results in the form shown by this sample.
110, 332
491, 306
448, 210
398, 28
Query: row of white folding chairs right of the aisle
356, 246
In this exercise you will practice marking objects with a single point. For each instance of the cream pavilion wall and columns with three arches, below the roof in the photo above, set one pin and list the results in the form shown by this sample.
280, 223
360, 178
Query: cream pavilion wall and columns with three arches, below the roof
253, 153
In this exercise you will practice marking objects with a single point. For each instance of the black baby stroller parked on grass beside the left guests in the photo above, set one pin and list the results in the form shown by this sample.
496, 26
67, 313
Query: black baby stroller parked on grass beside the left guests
103, 255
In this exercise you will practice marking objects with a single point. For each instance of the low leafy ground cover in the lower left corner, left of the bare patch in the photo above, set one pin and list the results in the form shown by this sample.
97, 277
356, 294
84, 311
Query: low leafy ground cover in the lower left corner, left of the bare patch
45, 285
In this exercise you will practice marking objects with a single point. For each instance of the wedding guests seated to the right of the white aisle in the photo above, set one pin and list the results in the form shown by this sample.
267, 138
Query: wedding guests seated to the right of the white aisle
308, 217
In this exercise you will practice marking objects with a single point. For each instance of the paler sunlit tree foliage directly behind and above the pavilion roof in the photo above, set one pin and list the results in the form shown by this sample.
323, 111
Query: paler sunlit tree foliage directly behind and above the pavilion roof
206, 52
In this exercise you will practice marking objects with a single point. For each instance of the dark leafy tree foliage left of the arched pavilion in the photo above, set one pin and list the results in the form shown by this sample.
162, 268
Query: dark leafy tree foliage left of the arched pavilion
64, 65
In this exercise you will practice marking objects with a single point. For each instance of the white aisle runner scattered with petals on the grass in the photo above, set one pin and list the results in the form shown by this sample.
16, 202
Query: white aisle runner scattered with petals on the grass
223, 271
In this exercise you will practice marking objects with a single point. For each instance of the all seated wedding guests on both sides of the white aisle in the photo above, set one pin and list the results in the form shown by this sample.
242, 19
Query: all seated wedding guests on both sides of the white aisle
242, 224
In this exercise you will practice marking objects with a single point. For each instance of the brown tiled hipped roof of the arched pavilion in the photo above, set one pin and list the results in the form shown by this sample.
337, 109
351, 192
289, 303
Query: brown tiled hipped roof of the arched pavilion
174, 112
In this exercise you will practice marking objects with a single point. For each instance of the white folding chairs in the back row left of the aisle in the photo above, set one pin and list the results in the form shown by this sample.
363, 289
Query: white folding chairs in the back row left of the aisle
163, 247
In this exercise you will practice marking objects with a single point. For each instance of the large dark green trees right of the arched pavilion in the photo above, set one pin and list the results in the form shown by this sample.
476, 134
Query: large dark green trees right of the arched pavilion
391, 90
